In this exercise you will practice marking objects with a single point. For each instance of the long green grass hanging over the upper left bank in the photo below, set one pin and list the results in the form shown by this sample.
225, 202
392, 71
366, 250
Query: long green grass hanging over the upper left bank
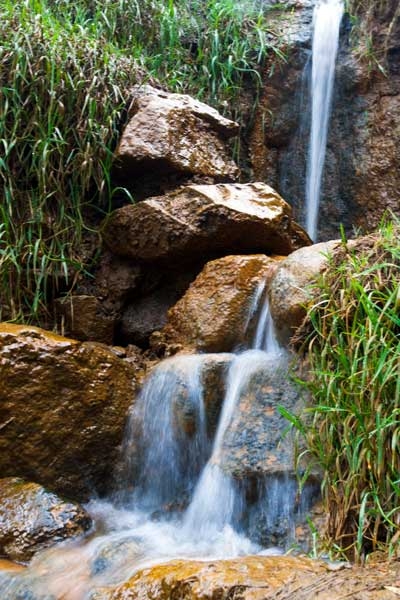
65, 72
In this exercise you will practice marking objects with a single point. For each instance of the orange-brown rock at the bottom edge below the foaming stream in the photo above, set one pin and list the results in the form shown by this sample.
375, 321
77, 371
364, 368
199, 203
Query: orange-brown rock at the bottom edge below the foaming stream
249, 578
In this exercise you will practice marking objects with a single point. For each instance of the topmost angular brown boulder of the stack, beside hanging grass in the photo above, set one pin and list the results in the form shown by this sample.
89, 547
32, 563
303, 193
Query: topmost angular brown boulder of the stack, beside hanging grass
174, 132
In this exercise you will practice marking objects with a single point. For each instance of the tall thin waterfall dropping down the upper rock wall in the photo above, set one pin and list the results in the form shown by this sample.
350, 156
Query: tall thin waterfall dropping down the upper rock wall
326, 24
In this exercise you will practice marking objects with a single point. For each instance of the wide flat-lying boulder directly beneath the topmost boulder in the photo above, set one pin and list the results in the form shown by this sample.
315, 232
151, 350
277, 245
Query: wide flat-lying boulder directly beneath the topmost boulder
200, 221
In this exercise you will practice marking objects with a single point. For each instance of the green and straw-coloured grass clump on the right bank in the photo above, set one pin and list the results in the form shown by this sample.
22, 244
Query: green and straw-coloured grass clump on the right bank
352, 336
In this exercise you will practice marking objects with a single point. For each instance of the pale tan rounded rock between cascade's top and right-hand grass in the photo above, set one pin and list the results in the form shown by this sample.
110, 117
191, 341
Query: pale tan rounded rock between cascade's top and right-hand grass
290, 289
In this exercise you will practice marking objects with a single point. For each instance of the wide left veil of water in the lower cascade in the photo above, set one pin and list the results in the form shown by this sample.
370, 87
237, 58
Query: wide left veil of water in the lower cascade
166, 439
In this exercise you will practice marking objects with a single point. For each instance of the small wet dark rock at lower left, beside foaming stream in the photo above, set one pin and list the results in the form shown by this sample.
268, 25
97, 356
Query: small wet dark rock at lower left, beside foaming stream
32, 518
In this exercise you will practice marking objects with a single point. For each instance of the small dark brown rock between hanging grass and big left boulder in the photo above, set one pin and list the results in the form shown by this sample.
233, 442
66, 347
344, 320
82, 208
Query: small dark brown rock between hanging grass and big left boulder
82, 319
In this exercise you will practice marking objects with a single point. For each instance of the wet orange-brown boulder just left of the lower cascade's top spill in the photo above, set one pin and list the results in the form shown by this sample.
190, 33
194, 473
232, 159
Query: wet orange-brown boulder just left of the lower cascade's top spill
214, 313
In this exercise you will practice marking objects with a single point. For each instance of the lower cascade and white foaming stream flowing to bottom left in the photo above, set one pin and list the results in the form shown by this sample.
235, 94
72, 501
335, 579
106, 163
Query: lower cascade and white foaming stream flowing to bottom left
170, 461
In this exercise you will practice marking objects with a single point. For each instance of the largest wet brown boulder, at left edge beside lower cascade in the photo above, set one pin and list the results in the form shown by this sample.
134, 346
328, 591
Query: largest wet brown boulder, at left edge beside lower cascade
63, 406
